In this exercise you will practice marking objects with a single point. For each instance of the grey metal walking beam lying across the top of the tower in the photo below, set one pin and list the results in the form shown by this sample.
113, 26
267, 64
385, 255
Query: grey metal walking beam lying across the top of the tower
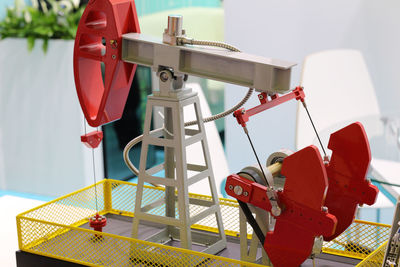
263, 74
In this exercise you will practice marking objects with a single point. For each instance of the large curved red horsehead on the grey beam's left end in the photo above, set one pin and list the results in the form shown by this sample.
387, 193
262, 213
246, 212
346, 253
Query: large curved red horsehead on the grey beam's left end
103, 21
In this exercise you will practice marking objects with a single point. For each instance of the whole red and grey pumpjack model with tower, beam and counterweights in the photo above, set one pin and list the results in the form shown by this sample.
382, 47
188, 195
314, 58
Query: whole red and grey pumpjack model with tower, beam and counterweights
299, 198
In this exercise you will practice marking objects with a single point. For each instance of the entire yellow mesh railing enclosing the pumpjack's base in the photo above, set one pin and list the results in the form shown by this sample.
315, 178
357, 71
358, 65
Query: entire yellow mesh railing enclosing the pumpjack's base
55, 229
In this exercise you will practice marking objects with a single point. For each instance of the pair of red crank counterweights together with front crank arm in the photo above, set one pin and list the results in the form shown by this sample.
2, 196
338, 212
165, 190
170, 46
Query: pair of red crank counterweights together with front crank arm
309, 206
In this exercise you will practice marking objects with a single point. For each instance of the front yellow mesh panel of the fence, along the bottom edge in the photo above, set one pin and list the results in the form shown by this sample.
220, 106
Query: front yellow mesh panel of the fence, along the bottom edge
112, 250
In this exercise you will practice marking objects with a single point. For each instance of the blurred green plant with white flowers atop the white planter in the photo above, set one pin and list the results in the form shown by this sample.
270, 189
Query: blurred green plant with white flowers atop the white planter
42, 20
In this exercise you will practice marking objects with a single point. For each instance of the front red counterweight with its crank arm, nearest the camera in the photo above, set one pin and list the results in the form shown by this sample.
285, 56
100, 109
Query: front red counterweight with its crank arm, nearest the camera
301, 200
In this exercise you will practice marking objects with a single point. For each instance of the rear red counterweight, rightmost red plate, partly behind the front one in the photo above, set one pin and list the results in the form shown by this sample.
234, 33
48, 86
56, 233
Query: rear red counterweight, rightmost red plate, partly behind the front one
347, 172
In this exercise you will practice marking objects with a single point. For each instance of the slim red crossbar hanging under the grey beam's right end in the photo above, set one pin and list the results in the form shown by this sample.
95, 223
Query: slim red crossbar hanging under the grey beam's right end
242, 116
